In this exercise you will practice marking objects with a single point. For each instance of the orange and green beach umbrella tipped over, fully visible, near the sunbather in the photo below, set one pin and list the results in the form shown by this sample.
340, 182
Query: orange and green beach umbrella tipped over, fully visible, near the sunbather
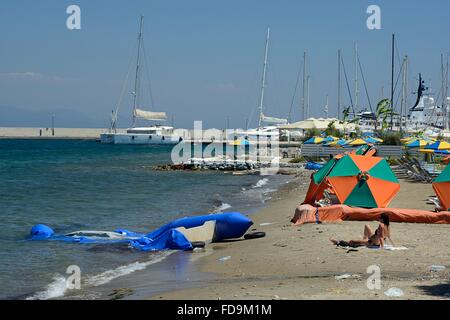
361, 181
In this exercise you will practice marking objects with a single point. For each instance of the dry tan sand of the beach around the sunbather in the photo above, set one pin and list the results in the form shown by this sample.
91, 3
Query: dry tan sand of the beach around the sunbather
301, 263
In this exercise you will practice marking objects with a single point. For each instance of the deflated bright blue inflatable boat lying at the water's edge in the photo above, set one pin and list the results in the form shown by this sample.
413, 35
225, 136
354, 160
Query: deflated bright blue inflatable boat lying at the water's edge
227, 226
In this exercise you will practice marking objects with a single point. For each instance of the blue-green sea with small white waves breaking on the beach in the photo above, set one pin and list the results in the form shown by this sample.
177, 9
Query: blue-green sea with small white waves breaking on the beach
73, 185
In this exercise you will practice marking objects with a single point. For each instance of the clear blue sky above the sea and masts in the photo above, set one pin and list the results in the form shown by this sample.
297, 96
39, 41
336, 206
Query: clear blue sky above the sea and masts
205, 57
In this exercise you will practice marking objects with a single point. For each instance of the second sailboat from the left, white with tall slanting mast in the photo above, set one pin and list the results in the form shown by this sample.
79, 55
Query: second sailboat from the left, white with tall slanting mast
271, 129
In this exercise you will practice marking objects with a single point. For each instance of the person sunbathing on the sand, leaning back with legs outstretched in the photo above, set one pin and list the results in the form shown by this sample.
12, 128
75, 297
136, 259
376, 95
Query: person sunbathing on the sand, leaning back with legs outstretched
377, 239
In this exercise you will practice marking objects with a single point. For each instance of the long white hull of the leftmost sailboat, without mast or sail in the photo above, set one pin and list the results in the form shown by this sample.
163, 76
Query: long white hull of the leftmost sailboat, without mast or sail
142, 139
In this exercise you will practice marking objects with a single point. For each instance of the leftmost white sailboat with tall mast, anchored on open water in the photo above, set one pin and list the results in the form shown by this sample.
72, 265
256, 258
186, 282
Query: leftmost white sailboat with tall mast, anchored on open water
155, 134
